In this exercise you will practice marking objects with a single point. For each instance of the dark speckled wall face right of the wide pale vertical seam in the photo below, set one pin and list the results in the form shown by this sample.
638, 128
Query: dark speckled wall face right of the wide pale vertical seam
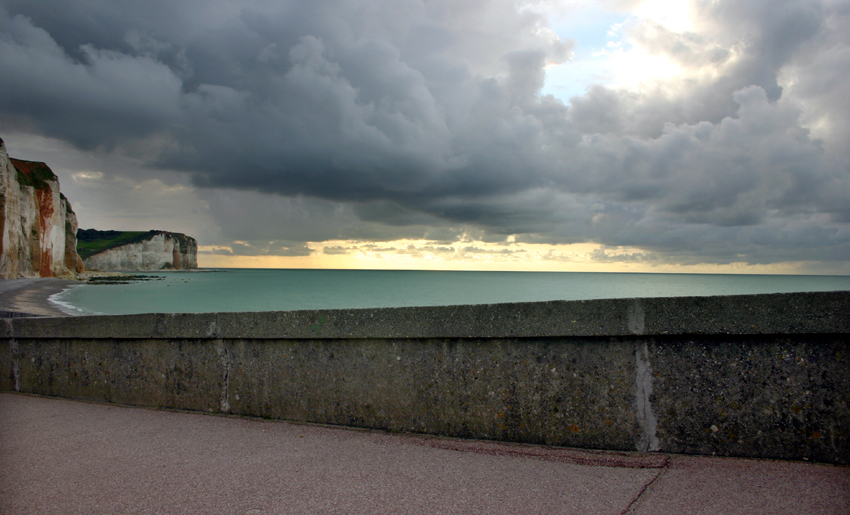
787, 397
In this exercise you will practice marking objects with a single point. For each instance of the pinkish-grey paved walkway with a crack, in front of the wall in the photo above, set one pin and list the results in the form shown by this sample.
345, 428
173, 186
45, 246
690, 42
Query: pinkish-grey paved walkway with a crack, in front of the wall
65, 457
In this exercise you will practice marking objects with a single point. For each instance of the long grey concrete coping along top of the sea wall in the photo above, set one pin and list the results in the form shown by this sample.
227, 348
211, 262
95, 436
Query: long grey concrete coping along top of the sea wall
787, 313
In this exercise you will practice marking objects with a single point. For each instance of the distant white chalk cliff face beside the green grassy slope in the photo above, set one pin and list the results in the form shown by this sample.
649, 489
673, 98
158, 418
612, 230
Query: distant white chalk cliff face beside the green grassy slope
155, 250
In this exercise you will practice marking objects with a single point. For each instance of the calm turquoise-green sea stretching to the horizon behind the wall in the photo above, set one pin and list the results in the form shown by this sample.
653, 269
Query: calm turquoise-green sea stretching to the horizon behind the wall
219, 290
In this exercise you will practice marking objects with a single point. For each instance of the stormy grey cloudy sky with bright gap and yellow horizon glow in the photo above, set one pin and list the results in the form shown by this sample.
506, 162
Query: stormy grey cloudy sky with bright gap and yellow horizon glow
699, 135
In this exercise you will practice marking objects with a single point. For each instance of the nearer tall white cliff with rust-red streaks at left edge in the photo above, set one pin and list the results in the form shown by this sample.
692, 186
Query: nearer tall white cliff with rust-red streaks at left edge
39, 228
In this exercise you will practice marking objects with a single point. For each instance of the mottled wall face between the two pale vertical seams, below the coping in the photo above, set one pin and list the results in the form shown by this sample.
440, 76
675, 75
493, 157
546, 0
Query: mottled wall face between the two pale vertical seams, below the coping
577, 393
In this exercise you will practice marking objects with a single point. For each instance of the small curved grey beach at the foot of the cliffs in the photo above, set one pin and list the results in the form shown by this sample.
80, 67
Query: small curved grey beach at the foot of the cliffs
31, 295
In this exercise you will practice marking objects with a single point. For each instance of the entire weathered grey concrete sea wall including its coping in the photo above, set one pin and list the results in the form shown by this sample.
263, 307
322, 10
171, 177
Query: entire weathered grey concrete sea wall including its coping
752, 376
